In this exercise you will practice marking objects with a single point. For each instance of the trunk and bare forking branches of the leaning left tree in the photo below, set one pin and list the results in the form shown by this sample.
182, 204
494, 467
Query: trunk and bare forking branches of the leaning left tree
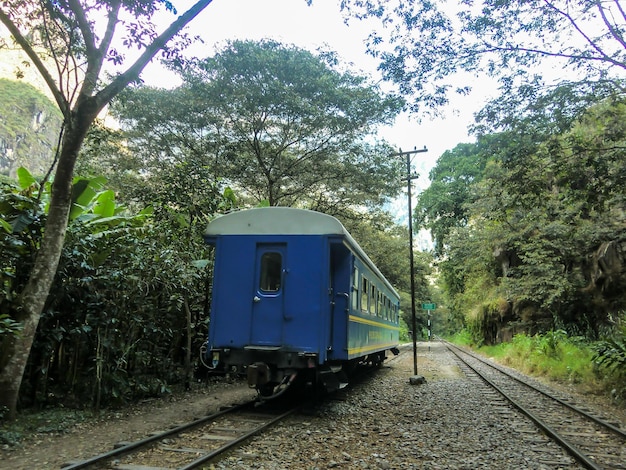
77, 123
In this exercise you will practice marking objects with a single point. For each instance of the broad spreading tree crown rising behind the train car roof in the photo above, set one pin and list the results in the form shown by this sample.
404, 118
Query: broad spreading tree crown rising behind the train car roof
276, 122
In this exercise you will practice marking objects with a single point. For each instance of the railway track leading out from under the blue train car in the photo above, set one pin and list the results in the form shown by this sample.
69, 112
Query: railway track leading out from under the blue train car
190, 445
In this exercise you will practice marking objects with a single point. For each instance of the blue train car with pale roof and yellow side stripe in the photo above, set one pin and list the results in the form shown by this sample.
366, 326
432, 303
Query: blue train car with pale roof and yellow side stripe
294, 296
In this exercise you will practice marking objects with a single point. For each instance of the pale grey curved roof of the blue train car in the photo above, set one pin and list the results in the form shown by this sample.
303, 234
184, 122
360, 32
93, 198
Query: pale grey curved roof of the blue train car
285, 221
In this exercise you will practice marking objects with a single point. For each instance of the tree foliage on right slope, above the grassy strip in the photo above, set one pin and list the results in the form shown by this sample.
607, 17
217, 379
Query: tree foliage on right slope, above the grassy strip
549, 196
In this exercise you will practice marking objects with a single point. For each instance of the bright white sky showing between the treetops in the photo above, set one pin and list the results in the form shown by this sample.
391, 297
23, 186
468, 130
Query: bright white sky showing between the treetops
322, 25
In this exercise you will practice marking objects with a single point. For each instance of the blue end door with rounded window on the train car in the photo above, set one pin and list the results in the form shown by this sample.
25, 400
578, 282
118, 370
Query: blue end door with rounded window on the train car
268, 295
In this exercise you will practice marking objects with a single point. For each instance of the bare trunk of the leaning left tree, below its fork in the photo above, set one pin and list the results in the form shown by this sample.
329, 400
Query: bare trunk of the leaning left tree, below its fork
35, 293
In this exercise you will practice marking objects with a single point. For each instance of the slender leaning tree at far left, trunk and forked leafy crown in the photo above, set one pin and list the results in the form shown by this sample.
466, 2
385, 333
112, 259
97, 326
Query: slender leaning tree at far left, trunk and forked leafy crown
65, 37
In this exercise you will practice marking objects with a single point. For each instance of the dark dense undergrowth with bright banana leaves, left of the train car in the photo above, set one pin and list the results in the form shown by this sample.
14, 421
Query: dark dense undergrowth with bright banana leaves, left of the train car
108, 333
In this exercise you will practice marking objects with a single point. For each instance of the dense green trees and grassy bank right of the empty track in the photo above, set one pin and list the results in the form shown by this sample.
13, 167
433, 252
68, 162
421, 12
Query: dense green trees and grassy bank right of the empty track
530, 229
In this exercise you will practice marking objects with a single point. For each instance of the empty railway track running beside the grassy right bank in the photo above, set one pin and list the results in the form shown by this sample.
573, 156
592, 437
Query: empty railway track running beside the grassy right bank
593, 441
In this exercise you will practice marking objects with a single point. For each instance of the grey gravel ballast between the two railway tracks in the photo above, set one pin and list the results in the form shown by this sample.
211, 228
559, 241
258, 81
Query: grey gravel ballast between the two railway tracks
450, 422
